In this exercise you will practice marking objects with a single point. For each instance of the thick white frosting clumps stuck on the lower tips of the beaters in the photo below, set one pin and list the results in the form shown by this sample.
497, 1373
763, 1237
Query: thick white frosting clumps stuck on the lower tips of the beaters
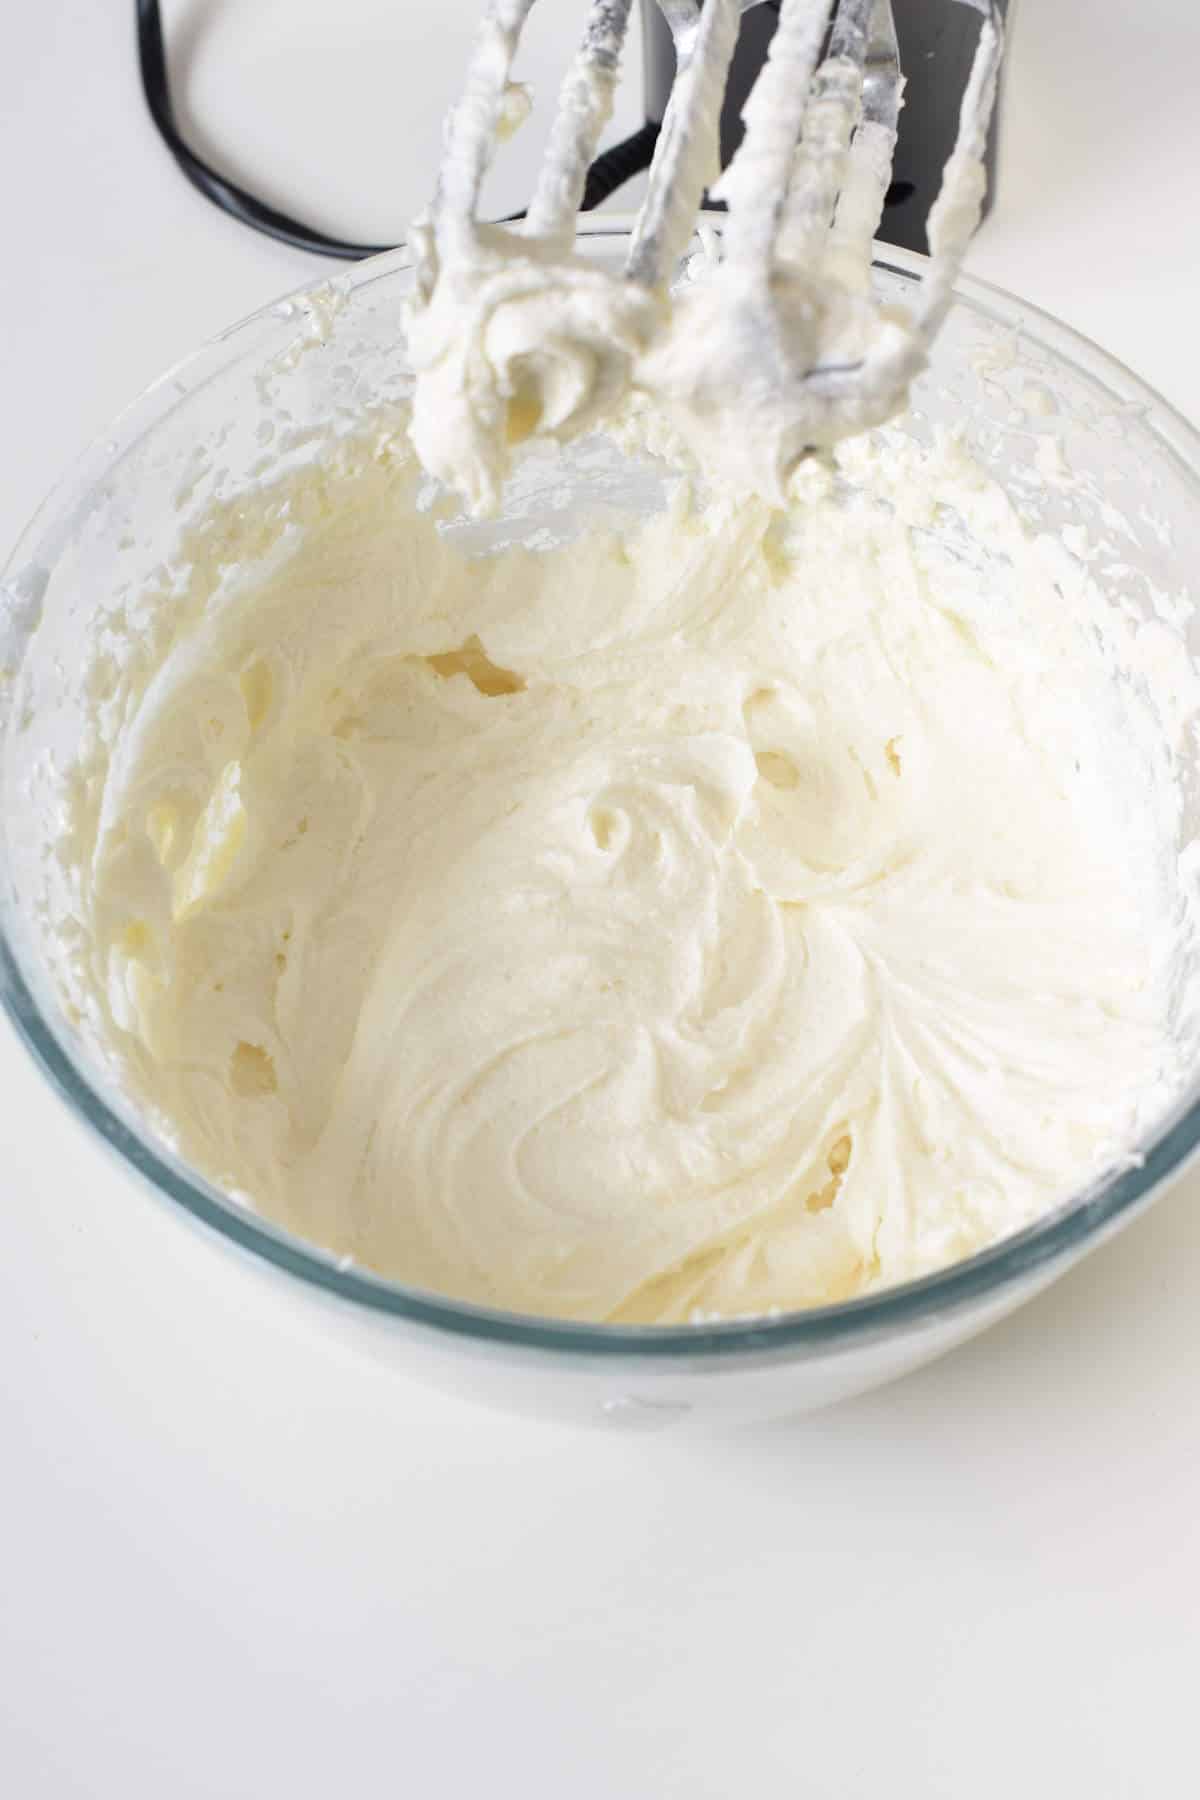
521, 343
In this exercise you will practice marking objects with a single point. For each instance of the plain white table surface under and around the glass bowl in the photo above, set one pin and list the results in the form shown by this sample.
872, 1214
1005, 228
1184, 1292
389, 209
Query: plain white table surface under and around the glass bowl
242, 1561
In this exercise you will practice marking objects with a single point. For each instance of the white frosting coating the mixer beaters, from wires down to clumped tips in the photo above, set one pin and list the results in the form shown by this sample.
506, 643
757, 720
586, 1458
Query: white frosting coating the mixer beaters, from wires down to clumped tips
771, 350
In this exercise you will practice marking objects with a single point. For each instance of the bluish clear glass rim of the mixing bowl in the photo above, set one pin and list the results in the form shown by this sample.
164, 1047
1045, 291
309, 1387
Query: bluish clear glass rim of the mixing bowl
1016, 1261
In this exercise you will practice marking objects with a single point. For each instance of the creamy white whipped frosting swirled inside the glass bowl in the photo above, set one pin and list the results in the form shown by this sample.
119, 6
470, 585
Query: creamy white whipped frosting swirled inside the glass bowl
733, 913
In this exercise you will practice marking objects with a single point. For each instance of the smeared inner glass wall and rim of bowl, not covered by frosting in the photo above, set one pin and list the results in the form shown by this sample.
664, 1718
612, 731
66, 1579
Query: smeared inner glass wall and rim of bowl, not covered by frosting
269, 397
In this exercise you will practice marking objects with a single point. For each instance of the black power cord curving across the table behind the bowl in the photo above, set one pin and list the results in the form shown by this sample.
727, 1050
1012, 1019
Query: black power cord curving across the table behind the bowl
607, 174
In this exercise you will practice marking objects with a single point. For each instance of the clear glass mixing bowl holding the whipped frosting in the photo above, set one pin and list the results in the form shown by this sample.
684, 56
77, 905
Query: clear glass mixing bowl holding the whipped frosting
271, 393
